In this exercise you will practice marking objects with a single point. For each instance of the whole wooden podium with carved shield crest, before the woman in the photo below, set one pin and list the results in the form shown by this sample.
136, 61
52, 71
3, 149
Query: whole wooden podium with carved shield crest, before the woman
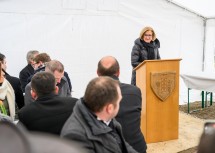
159, 84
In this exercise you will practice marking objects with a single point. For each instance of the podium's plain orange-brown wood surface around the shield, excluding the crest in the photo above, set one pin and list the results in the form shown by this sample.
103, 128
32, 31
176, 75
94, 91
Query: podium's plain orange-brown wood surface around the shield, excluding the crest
159, 119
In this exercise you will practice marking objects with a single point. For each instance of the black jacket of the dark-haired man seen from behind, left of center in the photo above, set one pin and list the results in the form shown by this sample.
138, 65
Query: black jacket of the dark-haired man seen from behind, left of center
47, 114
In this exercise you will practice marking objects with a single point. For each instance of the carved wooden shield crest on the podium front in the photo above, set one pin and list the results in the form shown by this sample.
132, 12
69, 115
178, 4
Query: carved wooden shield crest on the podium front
163, 84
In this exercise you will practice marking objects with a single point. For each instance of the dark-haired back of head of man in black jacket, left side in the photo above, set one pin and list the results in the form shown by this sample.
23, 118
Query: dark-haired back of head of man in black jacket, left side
43, 83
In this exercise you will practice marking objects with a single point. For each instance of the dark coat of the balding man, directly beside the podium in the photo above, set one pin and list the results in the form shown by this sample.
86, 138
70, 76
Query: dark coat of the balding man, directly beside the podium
129, 116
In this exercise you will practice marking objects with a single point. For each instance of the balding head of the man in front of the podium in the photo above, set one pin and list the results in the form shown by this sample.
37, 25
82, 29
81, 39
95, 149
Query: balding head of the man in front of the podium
108, 66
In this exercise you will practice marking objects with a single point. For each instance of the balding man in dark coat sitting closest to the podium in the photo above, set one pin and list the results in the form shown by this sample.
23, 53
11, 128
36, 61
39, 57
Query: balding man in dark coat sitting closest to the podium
130, 106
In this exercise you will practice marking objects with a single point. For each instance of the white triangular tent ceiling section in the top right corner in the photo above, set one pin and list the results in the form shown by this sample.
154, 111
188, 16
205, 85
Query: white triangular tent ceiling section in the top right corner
204, 8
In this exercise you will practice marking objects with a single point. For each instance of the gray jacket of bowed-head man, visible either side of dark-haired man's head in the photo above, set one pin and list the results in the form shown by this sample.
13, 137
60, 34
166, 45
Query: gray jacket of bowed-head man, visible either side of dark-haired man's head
64, 91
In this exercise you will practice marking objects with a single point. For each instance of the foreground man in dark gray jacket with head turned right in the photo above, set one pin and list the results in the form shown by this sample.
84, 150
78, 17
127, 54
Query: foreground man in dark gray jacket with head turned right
92, 123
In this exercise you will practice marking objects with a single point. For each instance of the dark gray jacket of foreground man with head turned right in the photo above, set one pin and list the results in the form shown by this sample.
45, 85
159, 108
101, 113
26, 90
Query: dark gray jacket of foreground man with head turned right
83, 127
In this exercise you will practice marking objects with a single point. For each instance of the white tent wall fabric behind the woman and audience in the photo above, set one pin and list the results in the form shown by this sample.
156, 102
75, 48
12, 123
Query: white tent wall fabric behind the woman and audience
80, 32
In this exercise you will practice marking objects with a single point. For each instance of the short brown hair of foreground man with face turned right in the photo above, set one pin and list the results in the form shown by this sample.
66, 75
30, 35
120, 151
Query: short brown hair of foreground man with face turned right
100, 92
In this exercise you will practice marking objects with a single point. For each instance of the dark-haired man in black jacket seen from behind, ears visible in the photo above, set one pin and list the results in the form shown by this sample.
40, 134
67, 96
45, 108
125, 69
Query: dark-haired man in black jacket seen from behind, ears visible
48, 112
